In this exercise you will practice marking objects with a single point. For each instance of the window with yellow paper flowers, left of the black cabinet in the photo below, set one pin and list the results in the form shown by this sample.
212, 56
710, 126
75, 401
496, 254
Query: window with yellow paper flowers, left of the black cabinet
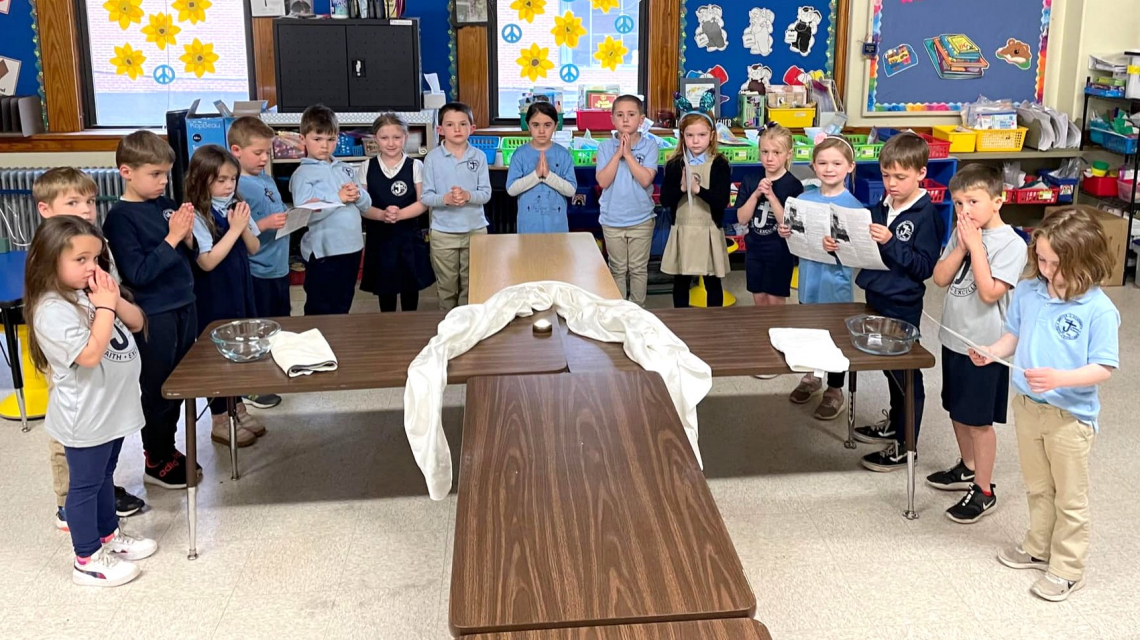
146, 58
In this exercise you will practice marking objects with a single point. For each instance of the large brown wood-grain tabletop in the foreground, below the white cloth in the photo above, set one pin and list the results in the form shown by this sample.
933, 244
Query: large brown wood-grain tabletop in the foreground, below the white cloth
582, 504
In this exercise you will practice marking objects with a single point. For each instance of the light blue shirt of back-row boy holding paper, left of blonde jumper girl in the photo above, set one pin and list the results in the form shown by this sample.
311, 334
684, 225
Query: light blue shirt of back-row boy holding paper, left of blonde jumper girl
332, 232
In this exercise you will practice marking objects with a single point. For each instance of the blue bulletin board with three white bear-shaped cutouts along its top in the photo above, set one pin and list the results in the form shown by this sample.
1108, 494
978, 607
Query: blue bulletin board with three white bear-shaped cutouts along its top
752, 42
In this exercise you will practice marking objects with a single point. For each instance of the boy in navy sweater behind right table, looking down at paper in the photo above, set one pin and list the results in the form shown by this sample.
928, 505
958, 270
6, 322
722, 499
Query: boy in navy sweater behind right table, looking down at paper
909, 232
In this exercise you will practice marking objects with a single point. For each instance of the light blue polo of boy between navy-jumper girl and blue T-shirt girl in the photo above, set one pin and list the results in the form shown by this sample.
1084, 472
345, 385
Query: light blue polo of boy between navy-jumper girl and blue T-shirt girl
444, 171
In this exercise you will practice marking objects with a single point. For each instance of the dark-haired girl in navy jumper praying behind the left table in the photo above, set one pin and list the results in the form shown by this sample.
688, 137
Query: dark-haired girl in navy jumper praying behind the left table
226, 237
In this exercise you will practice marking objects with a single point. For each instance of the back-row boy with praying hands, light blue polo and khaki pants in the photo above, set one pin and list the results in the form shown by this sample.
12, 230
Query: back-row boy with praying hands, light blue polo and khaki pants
626, 169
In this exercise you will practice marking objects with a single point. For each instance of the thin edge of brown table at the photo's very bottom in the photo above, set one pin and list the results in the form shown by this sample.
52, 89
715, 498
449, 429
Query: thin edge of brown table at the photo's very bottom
732, 629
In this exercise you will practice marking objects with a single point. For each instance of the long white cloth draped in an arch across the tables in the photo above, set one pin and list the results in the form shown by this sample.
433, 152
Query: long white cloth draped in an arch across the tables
647, 342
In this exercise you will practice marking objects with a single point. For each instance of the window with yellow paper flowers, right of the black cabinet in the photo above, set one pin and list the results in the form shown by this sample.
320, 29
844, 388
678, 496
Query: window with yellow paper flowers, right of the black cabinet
601, 46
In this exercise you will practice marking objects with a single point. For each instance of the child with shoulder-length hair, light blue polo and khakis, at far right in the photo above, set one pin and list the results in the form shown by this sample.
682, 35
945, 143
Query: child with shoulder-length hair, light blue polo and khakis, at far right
1062, 331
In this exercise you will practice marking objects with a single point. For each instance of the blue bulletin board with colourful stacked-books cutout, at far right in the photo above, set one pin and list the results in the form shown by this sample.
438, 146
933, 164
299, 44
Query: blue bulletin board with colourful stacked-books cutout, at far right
938, 55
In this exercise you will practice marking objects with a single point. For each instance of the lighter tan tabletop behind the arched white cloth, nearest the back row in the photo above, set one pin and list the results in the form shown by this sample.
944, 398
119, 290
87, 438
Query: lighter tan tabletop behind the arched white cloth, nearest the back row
502, 261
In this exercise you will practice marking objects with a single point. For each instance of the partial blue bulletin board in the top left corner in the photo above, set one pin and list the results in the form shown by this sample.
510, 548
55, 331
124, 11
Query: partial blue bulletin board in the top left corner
20, 72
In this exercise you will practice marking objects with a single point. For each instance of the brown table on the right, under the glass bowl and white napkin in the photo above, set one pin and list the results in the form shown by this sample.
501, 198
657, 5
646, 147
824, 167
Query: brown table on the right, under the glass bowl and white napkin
718, 336
